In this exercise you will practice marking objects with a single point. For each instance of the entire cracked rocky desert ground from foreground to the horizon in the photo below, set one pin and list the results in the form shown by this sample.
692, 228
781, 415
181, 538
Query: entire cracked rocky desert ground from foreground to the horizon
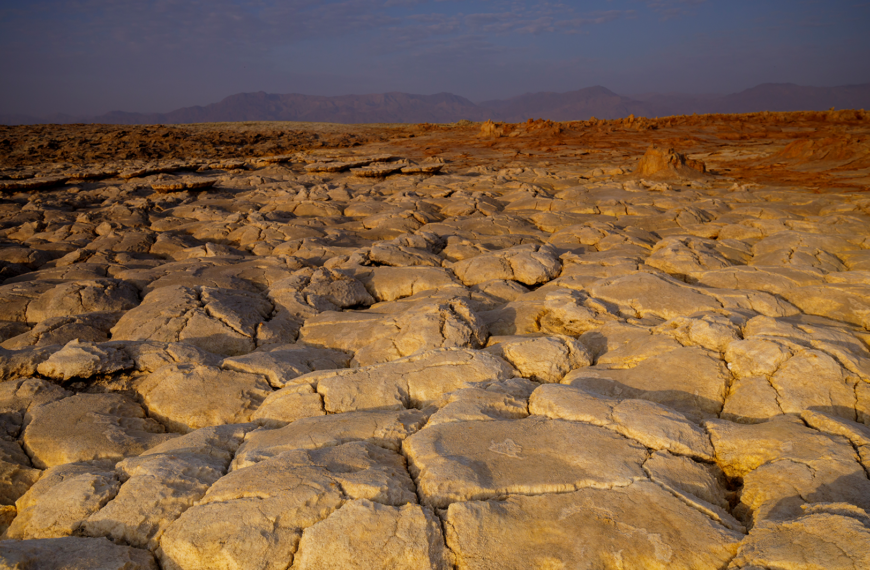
534, 346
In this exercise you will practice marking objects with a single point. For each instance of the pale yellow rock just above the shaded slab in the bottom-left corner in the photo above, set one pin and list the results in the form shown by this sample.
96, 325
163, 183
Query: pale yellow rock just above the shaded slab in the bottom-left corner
64, 497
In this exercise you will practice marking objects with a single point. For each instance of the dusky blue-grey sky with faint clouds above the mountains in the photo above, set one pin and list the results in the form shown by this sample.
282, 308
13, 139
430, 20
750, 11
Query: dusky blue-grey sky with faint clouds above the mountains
87, 57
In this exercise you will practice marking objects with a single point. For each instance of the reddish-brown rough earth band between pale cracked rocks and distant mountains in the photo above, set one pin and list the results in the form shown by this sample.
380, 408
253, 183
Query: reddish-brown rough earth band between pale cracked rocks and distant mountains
816, 150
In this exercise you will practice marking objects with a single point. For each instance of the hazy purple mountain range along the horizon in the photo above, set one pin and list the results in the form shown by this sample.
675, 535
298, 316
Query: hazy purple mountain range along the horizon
397, 107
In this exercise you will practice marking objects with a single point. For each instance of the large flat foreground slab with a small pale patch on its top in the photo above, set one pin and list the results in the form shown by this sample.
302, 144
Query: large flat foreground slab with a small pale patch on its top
464, 461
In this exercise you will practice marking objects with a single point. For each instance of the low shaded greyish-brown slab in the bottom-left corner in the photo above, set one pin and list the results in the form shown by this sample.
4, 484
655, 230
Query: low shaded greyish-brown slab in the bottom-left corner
72, 553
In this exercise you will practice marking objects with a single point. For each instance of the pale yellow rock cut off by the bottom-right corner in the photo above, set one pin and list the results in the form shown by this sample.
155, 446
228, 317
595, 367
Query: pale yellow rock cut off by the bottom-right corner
814, 542
